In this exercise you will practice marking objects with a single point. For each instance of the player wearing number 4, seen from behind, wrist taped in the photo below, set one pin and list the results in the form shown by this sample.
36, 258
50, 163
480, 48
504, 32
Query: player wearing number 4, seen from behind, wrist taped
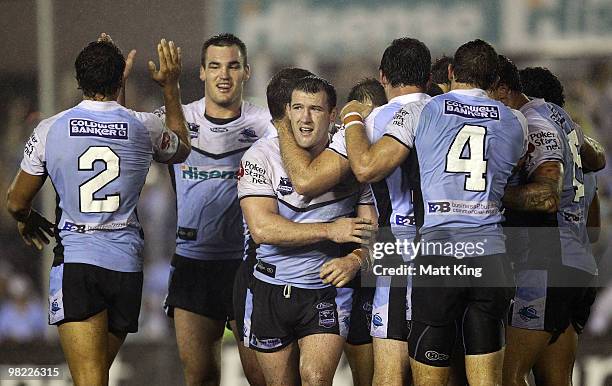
453, 135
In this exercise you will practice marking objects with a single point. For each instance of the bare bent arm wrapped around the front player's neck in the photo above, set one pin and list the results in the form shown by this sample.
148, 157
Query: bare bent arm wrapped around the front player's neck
310, 176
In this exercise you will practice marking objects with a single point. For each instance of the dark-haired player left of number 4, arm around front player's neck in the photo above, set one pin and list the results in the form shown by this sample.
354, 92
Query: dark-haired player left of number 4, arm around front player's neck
404, 74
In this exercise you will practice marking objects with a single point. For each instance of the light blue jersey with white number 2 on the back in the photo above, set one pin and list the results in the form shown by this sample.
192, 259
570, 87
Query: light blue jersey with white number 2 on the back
97, 156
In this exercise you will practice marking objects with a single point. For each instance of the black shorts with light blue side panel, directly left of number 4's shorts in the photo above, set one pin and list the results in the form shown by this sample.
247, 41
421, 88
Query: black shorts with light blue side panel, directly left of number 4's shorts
390, 305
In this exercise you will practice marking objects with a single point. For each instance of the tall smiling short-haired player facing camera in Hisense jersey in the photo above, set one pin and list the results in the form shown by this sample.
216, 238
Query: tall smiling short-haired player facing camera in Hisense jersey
210, 240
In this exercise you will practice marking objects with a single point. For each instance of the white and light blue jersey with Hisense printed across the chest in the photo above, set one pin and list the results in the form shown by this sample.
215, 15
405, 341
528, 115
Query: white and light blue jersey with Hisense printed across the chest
209, 220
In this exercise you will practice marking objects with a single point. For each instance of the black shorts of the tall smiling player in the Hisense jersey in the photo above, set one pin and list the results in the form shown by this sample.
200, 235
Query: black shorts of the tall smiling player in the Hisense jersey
204, 287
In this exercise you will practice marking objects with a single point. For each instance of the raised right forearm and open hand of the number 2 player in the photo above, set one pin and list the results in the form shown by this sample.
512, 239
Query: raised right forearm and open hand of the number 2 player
168, 78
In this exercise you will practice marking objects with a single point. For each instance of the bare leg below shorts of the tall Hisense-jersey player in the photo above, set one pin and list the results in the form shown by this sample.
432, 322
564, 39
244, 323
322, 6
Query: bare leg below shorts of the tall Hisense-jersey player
199, 343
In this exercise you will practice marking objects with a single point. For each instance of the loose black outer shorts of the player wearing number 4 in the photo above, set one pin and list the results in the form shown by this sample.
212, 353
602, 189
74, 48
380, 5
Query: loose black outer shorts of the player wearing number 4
438, 300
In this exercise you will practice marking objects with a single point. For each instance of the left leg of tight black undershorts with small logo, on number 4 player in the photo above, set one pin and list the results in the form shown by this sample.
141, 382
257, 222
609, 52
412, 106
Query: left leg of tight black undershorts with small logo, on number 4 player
431, 345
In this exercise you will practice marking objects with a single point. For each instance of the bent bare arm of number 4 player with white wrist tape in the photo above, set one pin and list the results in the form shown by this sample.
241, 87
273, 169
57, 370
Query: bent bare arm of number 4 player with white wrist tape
369, 162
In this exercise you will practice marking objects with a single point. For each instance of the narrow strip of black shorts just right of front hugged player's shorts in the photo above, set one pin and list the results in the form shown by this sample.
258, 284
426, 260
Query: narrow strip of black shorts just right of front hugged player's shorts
361, 316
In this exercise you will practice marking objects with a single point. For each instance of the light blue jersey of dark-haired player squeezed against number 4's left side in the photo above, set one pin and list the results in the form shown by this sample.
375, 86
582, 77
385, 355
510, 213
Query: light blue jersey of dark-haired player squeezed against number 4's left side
402, 221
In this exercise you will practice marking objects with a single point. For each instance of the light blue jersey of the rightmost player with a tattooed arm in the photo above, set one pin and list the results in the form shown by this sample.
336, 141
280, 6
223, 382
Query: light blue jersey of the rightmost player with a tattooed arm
553, 136
